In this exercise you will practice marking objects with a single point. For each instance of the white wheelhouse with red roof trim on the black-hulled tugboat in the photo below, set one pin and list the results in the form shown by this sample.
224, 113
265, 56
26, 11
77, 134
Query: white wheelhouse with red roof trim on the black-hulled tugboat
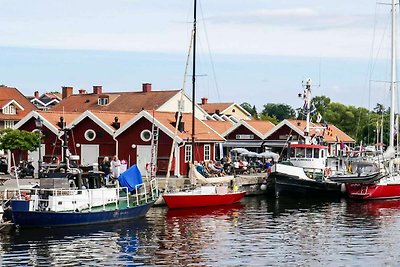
308, 155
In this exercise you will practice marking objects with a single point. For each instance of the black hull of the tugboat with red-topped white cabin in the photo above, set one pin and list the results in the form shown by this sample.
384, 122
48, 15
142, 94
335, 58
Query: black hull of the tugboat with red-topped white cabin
279, 184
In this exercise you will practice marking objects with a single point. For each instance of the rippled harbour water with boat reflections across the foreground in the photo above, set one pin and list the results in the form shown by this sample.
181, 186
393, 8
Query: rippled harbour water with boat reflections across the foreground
257, 232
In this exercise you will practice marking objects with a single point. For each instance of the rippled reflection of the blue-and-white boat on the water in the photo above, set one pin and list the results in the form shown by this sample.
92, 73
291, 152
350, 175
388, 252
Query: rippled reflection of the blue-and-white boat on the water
86, 245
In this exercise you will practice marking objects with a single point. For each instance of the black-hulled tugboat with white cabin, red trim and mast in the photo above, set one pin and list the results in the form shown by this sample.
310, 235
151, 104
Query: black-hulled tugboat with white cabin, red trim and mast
306, 171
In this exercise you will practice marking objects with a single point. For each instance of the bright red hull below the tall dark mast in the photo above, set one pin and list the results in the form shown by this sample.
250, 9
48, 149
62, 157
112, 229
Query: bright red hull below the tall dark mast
182, 200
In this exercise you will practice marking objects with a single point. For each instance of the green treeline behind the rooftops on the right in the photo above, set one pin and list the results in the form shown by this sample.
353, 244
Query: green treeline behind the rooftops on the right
359, 123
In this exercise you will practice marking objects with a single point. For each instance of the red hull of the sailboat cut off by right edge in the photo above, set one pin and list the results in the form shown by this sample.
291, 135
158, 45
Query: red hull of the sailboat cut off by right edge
373, 191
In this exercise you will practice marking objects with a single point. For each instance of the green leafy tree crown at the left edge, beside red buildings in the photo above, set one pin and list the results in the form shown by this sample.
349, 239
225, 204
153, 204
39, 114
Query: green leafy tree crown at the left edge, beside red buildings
11, 139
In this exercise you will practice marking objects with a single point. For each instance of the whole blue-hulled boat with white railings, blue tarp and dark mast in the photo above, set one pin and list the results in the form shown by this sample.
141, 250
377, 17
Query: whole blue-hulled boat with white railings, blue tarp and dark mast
64, 199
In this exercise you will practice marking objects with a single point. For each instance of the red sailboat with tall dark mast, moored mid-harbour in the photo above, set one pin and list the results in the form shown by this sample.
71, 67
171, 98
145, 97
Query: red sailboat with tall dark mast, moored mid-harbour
200, 196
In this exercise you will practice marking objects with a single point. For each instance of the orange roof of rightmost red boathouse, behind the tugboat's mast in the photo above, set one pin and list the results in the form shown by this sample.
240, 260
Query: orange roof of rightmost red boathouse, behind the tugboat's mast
315, 129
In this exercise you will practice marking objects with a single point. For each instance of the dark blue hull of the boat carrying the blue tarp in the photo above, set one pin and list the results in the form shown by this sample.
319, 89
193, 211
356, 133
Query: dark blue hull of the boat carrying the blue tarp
26, 218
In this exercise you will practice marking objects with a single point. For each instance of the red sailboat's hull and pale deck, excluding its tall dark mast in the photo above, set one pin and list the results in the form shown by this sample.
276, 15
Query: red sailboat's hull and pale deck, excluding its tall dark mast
204, 196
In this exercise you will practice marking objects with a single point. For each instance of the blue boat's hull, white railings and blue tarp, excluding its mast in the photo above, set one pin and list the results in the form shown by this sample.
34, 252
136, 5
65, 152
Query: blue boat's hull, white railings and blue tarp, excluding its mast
130, 199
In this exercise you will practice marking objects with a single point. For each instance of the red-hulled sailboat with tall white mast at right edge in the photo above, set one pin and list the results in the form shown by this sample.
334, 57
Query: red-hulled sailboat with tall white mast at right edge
388, 187
